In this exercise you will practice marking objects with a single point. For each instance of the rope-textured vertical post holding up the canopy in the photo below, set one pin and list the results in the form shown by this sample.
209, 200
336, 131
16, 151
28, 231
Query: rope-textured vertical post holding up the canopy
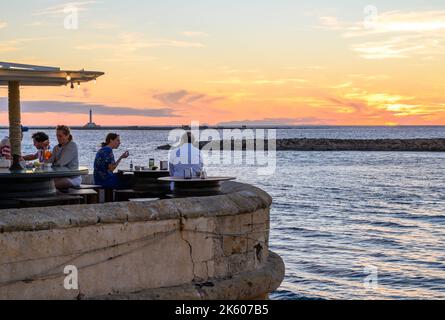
15, 130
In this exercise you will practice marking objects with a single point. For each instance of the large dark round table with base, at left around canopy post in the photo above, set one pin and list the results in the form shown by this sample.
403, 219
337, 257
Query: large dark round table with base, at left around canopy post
32, 183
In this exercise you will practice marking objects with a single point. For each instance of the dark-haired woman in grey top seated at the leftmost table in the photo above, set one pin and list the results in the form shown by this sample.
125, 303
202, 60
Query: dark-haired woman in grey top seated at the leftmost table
66, 154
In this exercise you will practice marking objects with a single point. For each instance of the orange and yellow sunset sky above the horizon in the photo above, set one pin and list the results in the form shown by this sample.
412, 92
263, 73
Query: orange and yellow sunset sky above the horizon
283, 62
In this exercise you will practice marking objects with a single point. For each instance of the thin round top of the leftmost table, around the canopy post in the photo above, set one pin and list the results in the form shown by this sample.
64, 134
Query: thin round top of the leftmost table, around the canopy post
51, 172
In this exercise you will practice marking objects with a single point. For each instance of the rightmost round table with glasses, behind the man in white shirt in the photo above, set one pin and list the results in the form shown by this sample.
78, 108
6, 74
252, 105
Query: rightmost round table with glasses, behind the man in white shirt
196, 187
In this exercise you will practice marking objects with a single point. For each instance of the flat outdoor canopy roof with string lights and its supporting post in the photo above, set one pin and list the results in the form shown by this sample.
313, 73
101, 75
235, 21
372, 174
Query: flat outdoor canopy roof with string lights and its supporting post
15, 75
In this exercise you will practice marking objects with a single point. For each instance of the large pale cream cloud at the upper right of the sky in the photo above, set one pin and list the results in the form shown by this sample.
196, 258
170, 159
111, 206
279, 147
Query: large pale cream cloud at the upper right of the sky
405, 34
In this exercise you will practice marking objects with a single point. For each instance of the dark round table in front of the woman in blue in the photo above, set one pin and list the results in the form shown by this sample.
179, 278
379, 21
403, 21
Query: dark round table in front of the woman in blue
147, 180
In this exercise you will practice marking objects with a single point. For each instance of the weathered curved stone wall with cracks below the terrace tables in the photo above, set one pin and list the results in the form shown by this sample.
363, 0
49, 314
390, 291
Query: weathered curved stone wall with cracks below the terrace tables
167, 249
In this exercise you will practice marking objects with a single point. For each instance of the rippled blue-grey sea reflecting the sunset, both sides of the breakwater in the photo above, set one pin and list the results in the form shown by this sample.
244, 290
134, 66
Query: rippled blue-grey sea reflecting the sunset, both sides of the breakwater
337, 213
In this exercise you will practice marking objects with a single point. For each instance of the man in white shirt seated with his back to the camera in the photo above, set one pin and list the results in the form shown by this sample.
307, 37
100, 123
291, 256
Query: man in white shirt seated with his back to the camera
186, 157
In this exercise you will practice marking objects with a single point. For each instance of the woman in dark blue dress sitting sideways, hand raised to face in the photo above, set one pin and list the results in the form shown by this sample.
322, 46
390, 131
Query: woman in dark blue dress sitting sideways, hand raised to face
105, 164
